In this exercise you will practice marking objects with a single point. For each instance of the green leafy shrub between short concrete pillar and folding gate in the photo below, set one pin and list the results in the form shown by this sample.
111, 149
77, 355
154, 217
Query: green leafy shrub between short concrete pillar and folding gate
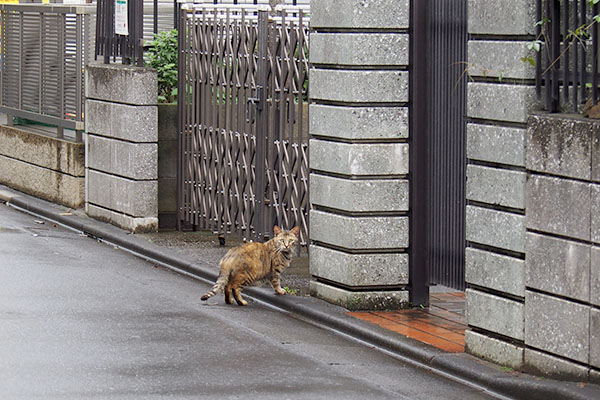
161, 54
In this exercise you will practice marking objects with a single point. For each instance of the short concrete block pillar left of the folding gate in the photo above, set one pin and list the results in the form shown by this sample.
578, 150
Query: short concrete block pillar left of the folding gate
122, 146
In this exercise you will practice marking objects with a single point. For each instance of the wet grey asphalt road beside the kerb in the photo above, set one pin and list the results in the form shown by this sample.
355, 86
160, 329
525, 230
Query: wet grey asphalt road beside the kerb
80, 319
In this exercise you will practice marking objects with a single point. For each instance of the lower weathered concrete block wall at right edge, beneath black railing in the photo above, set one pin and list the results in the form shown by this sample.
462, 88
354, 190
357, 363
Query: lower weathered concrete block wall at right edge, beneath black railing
562, 268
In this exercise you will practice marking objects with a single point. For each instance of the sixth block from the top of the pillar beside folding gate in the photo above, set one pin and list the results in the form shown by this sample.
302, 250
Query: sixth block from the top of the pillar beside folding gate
359, 195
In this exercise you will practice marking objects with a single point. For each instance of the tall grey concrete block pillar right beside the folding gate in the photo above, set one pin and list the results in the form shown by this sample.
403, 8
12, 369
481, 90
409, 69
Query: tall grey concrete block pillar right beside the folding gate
359, 152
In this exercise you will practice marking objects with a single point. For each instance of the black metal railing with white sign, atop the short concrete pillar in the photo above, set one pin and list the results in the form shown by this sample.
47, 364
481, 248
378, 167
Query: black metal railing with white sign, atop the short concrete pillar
129, 48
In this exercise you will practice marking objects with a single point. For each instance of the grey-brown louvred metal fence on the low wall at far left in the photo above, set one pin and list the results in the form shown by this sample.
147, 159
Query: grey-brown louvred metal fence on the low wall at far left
43, 50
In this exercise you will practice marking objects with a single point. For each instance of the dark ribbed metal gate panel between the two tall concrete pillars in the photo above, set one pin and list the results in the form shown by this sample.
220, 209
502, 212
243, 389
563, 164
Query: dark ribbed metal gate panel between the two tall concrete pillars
438, 159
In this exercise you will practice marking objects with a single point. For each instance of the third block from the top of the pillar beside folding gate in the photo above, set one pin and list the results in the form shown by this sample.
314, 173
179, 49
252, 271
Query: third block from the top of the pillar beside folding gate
359, 86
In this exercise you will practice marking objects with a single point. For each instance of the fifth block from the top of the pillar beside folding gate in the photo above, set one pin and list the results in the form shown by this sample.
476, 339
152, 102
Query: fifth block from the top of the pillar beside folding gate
359, 159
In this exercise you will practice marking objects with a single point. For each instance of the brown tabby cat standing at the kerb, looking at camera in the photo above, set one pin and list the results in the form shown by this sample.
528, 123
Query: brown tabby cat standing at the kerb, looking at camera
254, 262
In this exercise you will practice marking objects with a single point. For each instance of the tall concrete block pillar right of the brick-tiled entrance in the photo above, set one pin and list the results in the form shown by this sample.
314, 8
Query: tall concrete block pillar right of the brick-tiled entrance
500, 98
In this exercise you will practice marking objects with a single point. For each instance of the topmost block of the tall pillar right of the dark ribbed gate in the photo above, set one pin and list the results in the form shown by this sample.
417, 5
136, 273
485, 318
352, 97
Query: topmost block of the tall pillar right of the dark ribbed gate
517, 17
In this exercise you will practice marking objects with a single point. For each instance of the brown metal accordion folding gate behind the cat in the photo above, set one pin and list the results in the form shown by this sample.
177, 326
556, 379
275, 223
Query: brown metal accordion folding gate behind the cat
244, 119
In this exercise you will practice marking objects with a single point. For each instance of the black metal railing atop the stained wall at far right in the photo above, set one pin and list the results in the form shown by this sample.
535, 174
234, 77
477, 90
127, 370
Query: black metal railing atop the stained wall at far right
567, 34
